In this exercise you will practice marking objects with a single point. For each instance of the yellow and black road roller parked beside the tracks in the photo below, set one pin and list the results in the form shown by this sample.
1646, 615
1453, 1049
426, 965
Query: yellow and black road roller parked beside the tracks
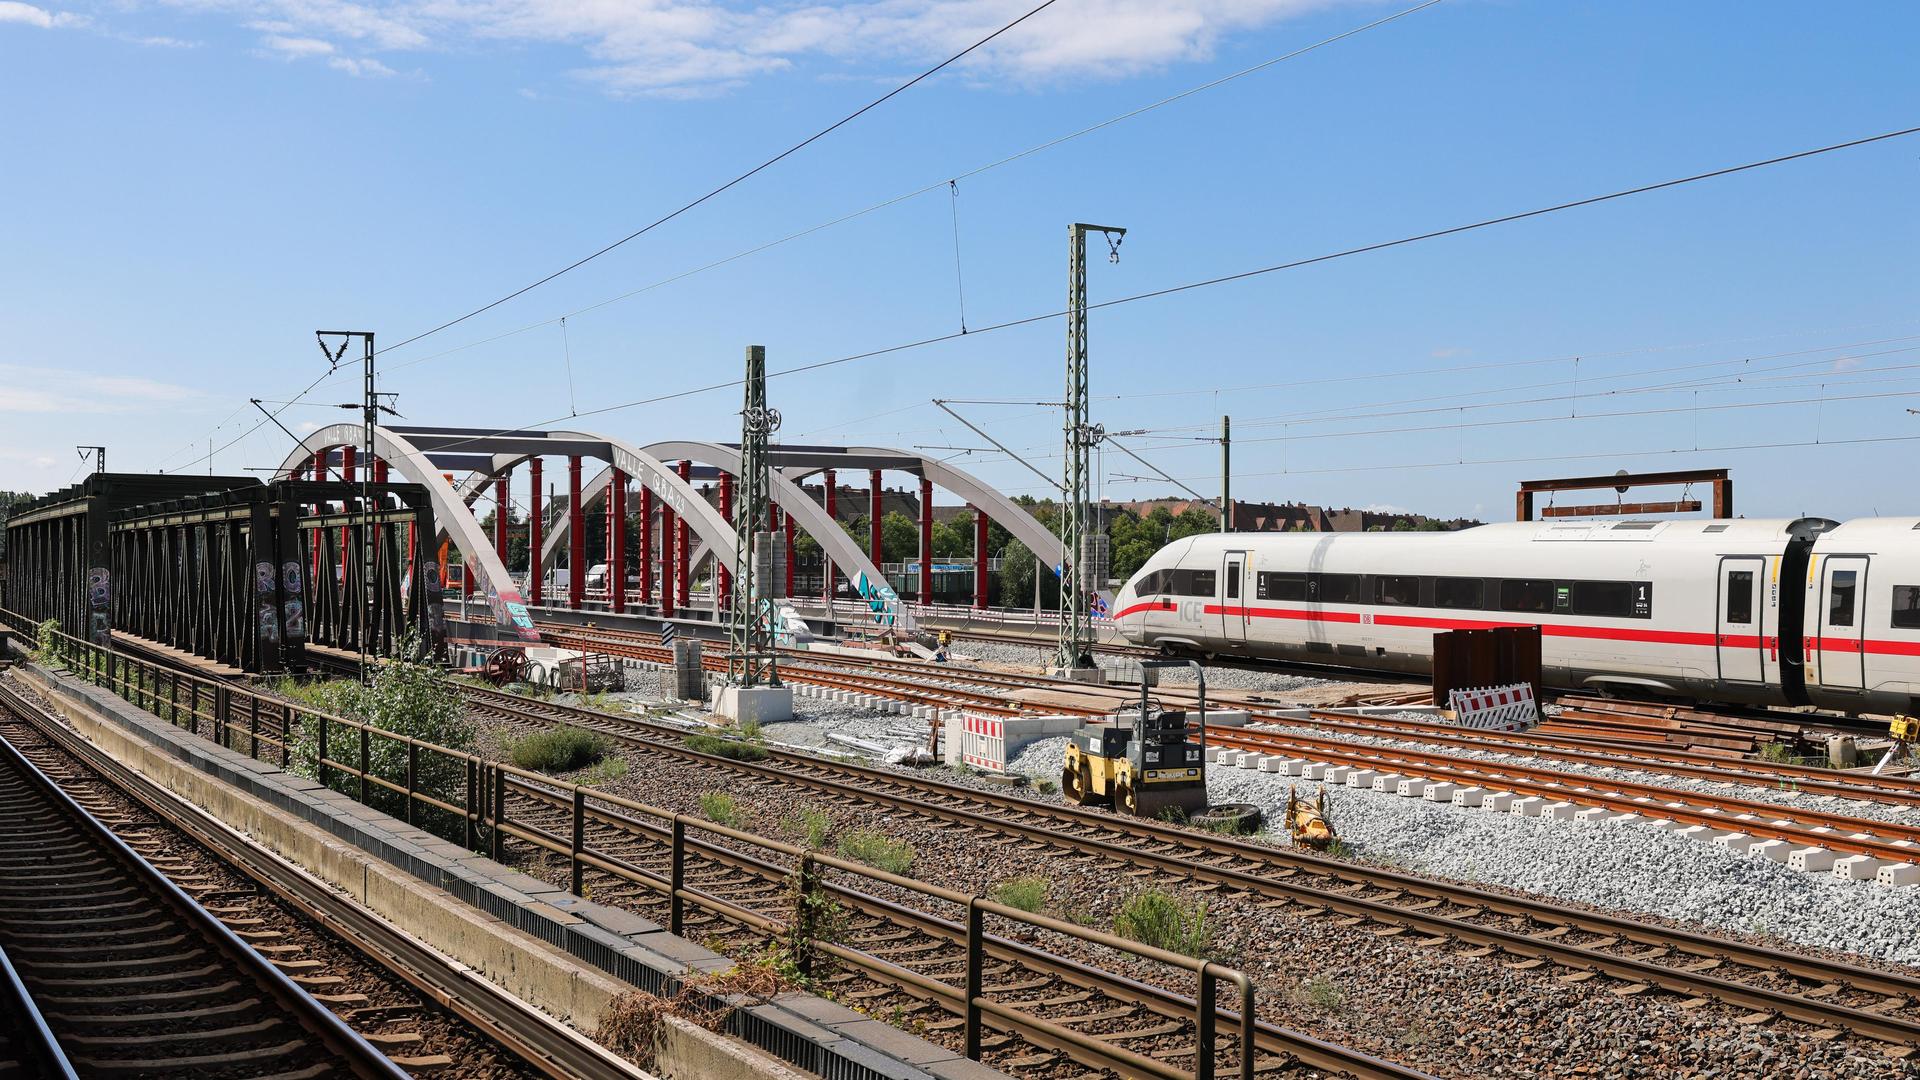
1140, 758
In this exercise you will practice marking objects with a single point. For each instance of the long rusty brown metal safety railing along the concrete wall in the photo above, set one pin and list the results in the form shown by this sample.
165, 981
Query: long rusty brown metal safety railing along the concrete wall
343, 756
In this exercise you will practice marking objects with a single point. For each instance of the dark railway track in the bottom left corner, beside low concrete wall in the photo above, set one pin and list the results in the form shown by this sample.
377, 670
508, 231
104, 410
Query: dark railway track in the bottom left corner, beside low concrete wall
158, 943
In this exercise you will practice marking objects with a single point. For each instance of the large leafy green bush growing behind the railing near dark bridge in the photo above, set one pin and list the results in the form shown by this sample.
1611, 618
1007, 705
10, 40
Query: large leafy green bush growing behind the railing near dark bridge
406, 699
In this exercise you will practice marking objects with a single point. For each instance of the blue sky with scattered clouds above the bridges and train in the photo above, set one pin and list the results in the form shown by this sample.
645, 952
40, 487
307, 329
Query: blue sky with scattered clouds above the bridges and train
191, 187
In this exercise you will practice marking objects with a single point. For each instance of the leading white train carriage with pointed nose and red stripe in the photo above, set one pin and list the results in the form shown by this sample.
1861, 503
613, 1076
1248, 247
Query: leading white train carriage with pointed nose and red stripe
1681, 608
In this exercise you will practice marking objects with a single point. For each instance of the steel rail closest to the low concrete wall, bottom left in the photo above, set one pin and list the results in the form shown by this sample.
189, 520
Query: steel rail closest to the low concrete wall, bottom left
496, 1014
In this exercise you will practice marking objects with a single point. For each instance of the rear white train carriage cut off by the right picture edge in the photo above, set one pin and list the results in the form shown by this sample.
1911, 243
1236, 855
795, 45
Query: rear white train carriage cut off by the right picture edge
1863, 618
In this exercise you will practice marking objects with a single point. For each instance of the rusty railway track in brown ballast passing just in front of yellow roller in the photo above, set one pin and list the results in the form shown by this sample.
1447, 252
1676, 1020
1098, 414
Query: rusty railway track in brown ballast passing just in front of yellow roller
1620, 956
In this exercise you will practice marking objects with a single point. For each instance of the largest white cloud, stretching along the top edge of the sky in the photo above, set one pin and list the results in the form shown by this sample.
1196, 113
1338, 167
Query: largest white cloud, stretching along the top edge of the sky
704, 47
